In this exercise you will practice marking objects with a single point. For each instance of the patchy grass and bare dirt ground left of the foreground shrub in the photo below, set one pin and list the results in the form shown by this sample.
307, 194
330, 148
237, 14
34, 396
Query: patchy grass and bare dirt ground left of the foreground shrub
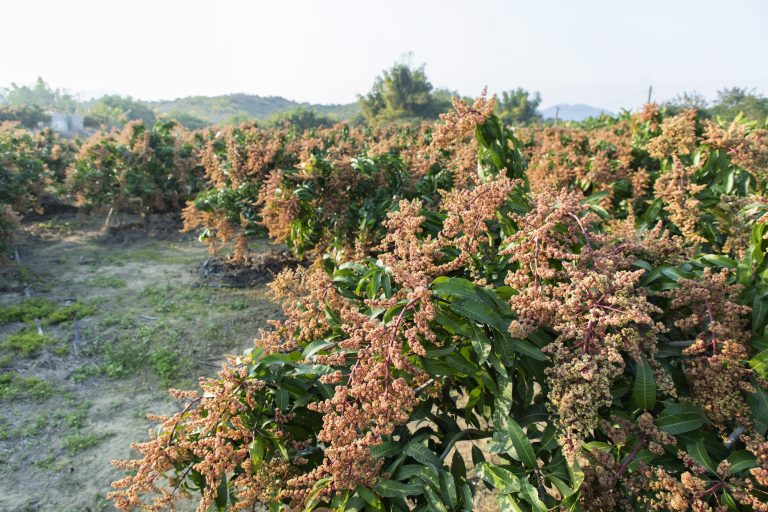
75, 398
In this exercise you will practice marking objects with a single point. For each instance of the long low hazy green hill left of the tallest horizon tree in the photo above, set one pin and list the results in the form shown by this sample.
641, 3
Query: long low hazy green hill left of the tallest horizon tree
218, 109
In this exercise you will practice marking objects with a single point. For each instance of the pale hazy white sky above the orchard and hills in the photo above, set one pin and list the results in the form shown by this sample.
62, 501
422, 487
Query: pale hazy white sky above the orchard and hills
603, 53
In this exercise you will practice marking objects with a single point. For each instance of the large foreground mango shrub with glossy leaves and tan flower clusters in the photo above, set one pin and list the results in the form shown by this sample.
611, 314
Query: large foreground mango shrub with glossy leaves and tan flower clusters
610, 364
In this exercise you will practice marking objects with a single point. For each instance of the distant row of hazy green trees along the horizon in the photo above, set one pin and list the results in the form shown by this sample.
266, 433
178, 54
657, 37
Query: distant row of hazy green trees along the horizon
401, 94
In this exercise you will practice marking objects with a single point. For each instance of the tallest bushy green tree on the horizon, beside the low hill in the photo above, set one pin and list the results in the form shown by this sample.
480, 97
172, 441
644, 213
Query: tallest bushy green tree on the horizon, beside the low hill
403, 93
